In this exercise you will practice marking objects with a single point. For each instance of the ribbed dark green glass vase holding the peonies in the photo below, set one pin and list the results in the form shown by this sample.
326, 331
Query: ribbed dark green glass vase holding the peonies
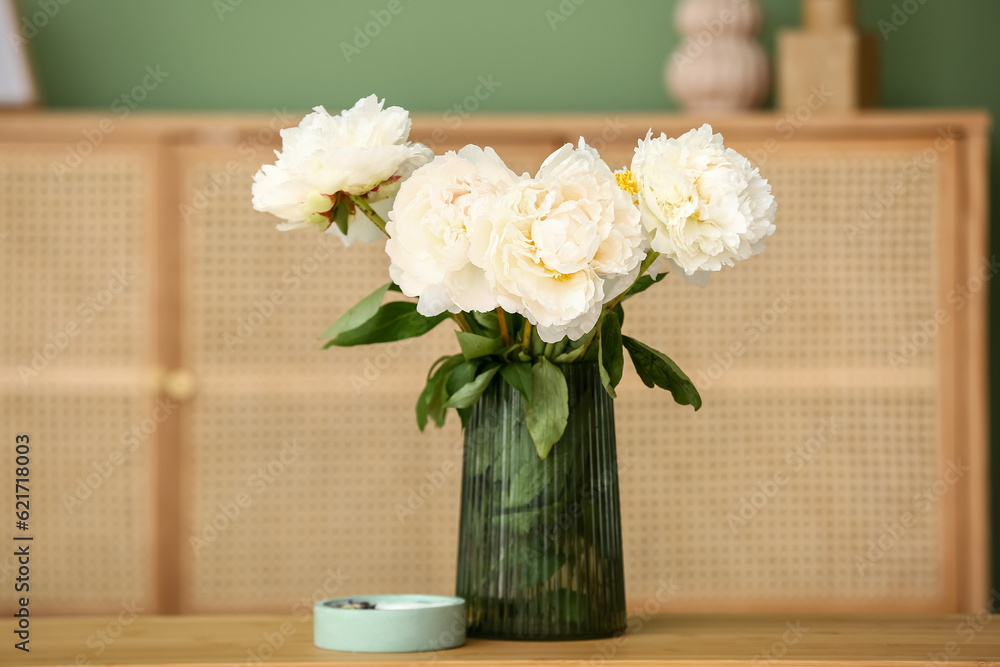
540, 549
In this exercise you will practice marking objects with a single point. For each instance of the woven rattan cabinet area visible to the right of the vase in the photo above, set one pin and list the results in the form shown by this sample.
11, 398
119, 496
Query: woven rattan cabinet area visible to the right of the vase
823, 470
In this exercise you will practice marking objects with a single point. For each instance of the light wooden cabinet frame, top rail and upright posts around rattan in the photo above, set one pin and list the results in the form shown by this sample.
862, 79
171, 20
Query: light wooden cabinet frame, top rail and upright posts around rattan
964, 245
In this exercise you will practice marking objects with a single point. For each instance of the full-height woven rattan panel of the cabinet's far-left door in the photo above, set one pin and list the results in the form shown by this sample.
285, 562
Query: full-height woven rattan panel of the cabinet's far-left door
74, 350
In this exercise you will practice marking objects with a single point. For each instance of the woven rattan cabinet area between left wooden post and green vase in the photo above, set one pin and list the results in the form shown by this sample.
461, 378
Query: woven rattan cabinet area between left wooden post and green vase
304, 470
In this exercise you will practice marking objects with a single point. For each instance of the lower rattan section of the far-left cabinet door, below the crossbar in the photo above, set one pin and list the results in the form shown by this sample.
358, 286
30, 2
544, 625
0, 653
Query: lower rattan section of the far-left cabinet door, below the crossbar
92, 516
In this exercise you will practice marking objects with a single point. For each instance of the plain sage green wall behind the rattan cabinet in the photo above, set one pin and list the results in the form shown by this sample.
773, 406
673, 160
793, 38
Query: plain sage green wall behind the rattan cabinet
258, 55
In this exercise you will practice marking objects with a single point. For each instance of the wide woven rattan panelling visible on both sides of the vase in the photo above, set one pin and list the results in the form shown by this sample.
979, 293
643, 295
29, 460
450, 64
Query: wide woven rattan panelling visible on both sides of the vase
363, 495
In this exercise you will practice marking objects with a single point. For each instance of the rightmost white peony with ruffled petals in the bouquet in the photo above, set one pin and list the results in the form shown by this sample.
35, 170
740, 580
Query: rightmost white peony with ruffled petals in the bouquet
704, 205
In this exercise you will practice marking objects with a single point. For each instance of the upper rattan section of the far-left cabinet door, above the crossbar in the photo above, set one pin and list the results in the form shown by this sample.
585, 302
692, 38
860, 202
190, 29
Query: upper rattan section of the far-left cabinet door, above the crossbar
74, 252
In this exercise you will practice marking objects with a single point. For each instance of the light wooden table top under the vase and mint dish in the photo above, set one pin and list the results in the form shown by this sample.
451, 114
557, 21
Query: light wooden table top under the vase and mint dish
677, 640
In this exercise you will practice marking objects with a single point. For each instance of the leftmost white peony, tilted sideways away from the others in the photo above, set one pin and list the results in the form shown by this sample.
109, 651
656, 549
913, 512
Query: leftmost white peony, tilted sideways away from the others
363, 151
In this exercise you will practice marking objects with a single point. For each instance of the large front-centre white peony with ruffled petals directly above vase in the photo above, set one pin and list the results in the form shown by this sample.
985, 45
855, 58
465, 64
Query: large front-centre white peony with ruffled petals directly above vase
557, 247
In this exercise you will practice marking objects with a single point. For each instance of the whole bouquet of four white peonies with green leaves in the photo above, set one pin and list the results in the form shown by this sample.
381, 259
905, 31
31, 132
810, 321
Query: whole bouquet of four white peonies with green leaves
532, 269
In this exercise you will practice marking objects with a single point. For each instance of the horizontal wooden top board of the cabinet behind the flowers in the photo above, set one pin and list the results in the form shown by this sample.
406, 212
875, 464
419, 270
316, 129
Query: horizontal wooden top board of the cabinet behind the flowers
36, 125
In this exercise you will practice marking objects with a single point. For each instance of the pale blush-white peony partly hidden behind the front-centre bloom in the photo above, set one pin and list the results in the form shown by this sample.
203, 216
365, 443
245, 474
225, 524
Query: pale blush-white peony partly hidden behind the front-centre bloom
429, 230
